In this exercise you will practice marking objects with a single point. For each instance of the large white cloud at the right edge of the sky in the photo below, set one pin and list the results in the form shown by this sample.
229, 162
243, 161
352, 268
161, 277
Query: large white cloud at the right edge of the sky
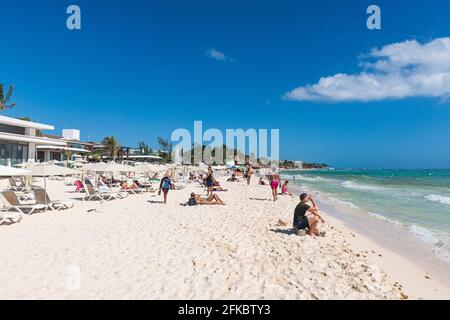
396, 71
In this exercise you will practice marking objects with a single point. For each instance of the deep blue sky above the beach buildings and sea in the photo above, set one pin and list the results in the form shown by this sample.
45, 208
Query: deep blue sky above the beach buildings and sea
140, 69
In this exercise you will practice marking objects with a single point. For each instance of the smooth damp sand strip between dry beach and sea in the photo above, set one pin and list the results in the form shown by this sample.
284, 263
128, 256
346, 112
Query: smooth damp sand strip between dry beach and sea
427, 276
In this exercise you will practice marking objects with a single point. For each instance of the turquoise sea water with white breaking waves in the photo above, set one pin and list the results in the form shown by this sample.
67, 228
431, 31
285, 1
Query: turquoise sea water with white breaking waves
416, 200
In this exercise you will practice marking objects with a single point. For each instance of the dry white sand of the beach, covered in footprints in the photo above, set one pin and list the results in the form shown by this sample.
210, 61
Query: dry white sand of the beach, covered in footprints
138, 248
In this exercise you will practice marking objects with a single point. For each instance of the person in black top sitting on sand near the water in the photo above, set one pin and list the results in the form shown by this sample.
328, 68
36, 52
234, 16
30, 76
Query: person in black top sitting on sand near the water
307, 217
